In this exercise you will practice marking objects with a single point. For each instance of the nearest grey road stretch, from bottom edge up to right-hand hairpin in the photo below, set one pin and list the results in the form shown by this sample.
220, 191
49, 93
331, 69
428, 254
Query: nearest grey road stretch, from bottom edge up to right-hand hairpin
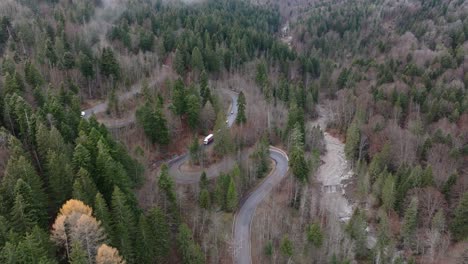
244, 216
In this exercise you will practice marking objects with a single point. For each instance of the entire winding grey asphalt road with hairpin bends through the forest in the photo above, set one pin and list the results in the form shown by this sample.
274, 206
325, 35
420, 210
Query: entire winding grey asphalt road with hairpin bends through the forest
245, 214
